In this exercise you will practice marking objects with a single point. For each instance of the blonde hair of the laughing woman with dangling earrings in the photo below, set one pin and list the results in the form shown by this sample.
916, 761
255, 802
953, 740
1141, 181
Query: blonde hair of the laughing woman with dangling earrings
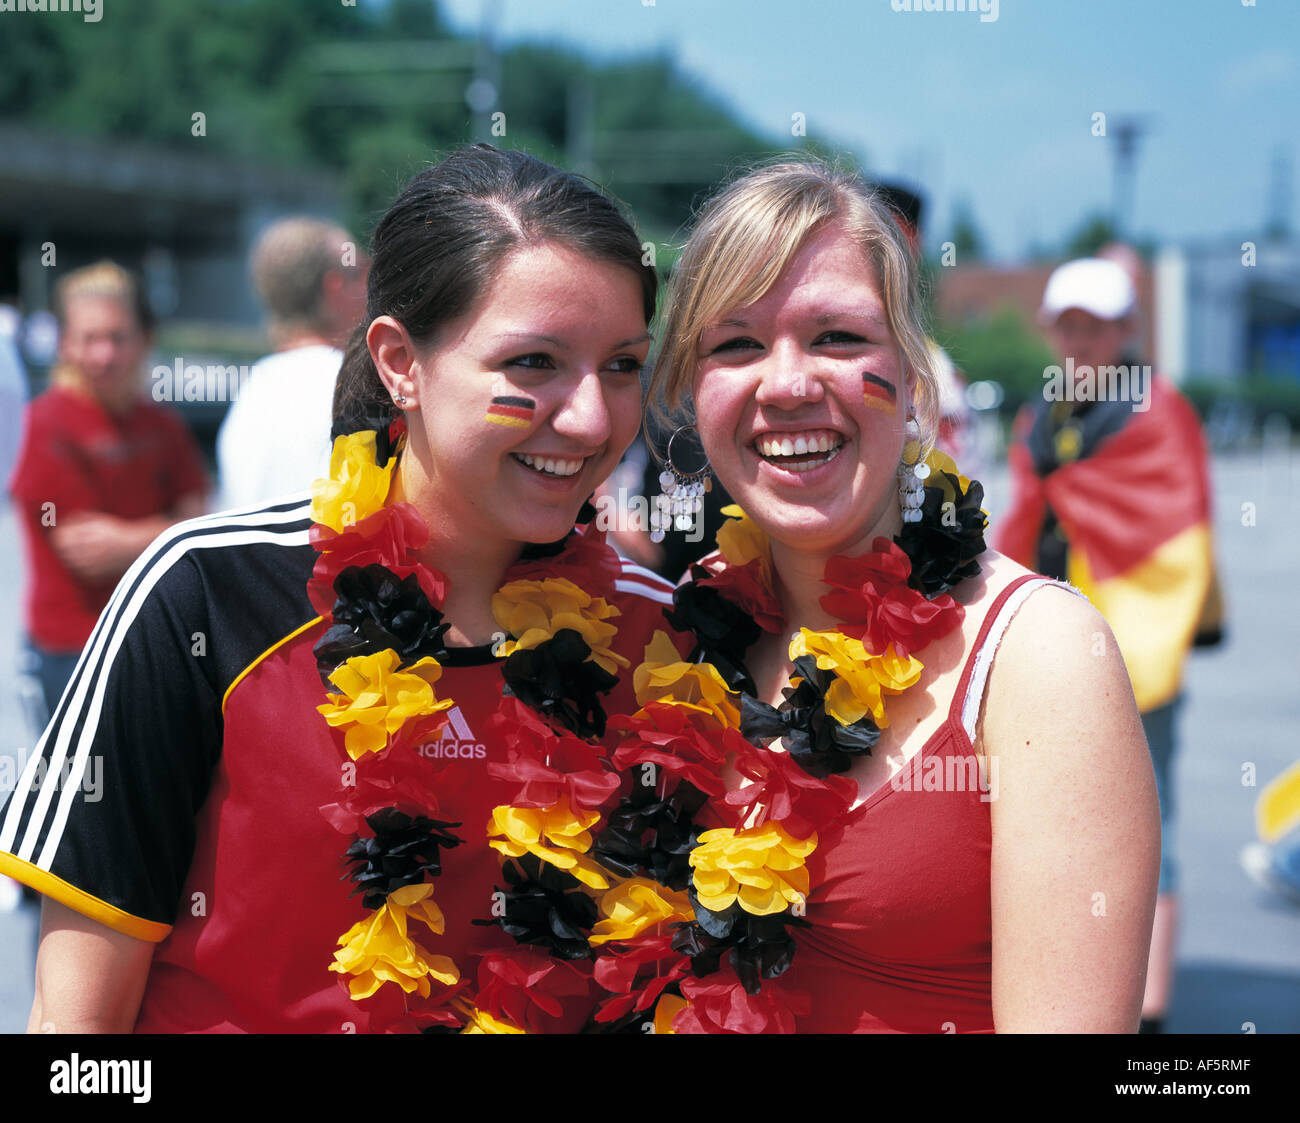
744, 239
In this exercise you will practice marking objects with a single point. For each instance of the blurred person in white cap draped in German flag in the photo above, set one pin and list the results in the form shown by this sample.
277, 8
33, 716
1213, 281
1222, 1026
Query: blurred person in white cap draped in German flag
1111, 492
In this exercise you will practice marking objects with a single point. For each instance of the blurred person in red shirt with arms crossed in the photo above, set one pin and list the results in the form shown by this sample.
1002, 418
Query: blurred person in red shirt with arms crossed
103, 471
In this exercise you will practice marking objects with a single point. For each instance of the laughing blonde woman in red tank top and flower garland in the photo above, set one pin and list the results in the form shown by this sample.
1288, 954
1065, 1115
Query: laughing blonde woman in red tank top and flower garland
993, 865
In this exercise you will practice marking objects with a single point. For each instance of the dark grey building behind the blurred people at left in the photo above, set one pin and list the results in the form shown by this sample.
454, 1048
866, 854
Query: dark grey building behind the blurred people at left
184, 222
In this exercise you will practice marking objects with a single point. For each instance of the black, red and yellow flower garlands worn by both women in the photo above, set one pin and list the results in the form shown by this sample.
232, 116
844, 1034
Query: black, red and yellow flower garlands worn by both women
635, 873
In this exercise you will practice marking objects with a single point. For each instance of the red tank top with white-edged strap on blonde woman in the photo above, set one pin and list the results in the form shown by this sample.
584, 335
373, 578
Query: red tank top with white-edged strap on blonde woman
900, 913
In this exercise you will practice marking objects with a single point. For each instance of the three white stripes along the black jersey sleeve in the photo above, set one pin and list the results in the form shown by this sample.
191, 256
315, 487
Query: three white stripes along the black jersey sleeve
79, 712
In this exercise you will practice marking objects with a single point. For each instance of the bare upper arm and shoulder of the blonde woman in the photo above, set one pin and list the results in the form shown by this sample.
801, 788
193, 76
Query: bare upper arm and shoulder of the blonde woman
1076, 826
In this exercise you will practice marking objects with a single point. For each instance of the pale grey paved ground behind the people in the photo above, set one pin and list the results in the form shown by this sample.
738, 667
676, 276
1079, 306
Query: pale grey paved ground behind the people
1240, 949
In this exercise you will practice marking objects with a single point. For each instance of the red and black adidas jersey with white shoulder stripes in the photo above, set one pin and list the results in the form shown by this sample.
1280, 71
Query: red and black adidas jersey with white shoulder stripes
205, 830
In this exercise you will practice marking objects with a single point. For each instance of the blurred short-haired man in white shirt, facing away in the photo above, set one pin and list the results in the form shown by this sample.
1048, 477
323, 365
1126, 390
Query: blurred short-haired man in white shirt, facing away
313, 281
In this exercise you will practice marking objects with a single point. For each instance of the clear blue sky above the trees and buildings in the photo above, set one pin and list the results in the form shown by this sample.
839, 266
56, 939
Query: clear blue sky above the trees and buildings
995, 112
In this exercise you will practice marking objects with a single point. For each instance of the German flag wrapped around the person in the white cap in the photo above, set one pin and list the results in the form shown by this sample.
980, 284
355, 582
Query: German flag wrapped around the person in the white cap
1117, 502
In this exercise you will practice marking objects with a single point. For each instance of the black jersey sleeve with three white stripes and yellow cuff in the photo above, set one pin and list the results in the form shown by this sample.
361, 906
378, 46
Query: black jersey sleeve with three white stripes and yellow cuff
103, 816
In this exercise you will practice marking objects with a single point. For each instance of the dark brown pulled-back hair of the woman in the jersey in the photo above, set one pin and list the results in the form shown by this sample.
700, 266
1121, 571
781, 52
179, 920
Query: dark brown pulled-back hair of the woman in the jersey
441, 244
